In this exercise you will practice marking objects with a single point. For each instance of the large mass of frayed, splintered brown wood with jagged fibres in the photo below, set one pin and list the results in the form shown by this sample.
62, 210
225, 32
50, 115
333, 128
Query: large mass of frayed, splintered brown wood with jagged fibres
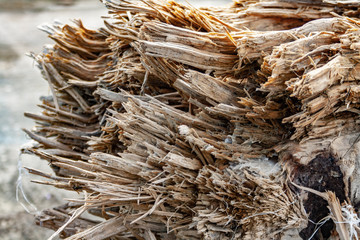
173, 122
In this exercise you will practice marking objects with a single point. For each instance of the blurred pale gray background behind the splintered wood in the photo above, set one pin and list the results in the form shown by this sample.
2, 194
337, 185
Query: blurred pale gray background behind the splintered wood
21, 86
